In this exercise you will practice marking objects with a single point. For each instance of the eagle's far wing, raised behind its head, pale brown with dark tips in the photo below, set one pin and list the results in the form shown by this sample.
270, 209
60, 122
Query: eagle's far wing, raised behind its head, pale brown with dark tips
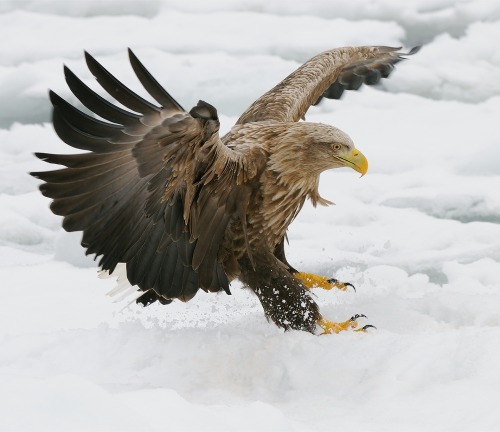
326, 75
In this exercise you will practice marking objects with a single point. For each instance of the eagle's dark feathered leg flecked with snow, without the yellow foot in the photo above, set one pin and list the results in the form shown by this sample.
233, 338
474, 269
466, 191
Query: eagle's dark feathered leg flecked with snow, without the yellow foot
284, 298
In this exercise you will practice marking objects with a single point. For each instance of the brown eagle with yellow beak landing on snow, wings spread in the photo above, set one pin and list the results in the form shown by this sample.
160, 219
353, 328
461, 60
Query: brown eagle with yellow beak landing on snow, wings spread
158, 192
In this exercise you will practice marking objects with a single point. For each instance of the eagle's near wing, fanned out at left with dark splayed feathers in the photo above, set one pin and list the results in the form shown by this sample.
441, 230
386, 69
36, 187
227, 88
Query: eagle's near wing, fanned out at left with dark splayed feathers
155, 189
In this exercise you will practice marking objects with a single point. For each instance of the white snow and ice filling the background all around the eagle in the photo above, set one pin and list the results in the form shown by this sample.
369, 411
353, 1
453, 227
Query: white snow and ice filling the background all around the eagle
419, 236
